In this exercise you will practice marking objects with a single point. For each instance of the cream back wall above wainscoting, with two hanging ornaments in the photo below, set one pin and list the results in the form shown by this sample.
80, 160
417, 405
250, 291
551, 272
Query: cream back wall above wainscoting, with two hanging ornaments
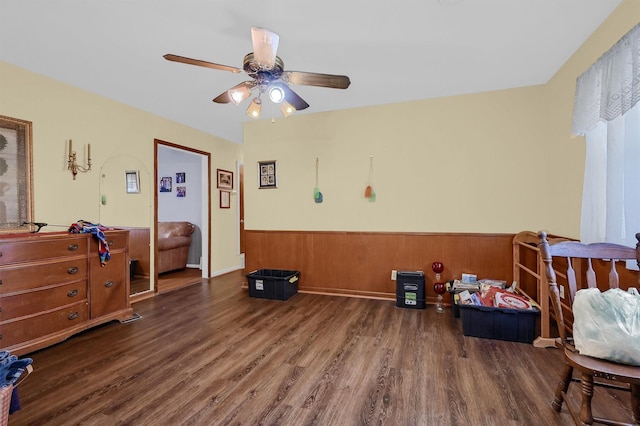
493, 162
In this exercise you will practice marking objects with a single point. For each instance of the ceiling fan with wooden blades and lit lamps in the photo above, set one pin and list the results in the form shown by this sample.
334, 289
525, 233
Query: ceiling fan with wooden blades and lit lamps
268, 76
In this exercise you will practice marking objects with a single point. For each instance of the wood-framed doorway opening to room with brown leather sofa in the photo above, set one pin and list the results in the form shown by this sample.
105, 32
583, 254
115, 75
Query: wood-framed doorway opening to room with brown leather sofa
187, 172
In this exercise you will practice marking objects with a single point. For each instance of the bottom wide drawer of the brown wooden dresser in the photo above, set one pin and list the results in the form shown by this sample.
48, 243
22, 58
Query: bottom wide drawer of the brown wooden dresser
23, 330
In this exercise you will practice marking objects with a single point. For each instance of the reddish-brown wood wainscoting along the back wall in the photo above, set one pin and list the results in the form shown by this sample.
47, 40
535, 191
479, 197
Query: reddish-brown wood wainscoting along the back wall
360, 263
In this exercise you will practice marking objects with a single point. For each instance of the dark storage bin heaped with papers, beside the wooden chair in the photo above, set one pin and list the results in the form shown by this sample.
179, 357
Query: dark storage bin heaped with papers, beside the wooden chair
514, 325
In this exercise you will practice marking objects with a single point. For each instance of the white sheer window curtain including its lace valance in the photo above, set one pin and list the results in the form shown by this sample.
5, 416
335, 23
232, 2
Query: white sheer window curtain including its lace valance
605, 111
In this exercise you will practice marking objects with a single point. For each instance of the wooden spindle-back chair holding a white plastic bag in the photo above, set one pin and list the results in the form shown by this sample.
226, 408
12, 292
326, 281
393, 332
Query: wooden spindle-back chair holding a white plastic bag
587, 368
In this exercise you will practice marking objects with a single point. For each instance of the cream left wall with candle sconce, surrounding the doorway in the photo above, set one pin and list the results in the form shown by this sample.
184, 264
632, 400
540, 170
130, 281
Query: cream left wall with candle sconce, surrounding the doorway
60, 112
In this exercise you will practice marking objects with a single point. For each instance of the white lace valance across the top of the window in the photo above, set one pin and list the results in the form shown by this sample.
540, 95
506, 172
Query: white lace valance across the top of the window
611, 86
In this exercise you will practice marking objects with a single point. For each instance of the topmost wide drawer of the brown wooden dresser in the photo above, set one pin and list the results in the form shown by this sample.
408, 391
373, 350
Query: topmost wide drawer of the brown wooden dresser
39, 248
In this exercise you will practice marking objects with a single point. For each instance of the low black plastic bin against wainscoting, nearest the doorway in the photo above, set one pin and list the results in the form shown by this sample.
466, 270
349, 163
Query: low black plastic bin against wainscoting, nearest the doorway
273, 283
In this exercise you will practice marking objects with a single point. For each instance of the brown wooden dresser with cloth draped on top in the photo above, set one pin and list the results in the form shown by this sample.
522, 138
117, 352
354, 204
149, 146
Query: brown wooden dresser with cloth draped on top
52, 286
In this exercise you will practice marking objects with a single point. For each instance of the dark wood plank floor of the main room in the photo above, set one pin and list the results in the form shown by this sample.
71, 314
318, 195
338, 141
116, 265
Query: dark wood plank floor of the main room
208, 354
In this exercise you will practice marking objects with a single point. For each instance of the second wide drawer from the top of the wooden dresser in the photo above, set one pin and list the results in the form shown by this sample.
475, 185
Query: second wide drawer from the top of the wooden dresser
21, 278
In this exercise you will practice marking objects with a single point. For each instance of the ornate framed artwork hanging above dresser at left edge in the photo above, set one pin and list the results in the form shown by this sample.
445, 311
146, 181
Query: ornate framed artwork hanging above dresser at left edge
16, 185
